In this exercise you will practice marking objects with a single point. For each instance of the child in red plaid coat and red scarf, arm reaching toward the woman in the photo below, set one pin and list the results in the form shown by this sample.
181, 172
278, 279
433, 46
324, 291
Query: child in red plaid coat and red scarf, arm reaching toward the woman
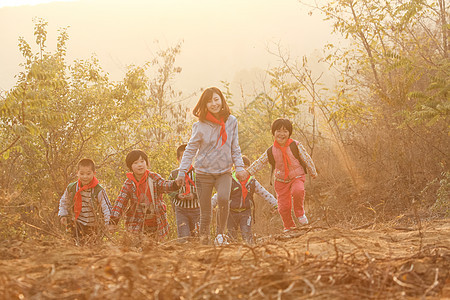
141, 198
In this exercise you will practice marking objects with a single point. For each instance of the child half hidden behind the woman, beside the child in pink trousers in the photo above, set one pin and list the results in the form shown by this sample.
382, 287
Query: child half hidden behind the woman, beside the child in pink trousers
242, 203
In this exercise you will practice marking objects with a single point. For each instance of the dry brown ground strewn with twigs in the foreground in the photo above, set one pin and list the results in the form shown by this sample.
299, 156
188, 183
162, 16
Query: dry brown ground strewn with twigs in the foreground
311, 263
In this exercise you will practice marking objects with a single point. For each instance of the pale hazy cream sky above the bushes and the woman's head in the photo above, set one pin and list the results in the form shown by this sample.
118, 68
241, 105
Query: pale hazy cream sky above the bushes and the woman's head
222, 39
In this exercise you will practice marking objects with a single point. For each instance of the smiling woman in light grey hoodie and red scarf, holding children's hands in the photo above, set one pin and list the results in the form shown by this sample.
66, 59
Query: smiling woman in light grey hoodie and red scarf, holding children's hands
214, 143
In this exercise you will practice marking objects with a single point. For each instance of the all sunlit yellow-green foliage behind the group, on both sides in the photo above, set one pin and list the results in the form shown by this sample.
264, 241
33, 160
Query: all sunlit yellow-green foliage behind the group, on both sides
377, 136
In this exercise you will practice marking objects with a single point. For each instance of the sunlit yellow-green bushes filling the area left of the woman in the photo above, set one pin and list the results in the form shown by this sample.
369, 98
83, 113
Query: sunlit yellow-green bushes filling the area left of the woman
58, 113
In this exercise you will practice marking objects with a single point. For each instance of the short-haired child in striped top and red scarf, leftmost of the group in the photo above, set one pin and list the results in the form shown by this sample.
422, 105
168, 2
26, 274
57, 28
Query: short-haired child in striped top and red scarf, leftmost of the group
83, 200
